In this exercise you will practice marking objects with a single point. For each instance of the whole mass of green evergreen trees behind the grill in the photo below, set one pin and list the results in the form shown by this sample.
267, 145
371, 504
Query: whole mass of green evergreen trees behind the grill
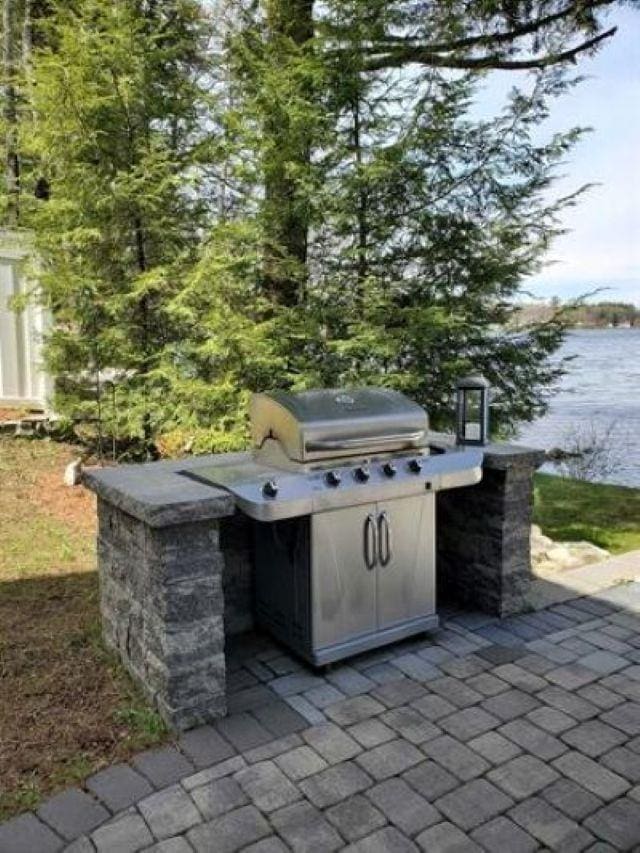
289, 194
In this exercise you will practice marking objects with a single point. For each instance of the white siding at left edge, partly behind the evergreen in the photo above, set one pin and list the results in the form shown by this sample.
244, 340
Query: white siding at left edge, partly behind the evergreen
22, 380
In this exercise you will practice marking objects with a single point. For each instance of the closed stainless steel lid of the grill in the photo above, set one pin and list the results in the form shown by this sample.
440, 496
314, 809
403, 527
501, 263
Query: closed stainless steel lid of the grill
334, 423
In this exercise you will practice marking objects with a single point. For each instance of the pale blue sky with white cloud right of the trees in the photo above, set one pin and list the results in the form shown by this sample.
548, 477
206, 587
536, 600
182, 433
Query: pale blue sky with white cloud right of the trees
602, 249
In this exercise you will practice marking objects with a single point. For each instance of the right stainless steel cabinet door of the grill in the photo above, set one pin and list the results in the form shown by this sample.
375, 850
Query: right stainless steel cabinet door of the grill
406, 584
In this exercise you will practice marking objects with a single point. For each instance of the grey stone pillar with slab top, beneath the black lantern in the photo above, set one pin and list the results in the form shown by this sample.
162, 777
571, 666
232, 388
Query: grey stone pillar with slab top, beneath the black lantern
483, 534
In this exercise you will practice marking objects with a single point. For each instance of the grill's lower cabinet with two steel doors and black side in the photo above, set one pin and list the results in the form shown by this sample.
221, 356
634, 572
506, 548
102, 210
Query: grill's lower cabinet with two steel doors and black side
319, 594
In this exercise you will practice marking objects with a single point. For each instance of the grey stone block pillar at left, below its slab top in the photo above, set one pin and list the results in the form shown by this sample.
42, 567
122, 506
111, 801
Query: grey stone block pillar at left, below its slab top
162, 607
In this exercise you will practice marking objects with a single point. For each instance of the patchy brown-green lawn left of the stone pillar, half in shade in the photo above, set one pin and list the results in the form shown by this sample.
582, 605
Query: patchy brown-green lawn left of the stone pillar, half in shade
67, 707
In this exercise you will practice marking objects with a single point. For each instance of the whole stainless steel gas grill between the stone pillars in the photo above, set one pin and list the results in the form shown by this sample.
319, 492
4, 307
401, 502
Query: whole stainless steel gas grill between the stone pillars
342, 485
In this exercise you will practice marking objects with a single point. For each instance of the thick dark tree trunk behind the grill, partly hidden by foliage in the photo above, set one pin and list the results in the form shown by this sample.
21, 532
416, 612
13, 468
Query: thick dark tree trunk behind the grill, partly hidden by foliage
287, 220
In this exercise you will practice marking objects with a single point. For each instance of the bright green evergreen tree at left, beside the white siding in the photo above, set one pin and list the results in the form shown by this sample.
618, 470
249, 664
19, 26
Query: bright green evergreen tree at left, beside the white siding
117, 101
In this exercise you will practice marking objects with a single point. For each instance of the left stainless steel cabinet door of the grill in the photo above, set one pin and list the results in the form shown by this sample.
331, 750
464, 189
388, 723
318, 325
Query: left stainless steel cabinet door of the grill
343, 587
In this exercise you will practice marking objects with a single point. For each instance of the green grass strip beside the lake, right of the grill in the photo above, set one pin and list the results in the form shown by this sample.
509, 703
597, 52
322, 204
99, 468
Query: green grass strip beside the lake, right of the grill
571, 510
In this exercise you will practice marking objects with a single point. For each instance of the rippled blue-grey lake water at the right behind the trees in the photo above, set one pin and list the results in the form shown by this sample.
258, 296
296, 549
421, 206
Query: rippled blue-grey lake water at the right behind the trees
602, 388
